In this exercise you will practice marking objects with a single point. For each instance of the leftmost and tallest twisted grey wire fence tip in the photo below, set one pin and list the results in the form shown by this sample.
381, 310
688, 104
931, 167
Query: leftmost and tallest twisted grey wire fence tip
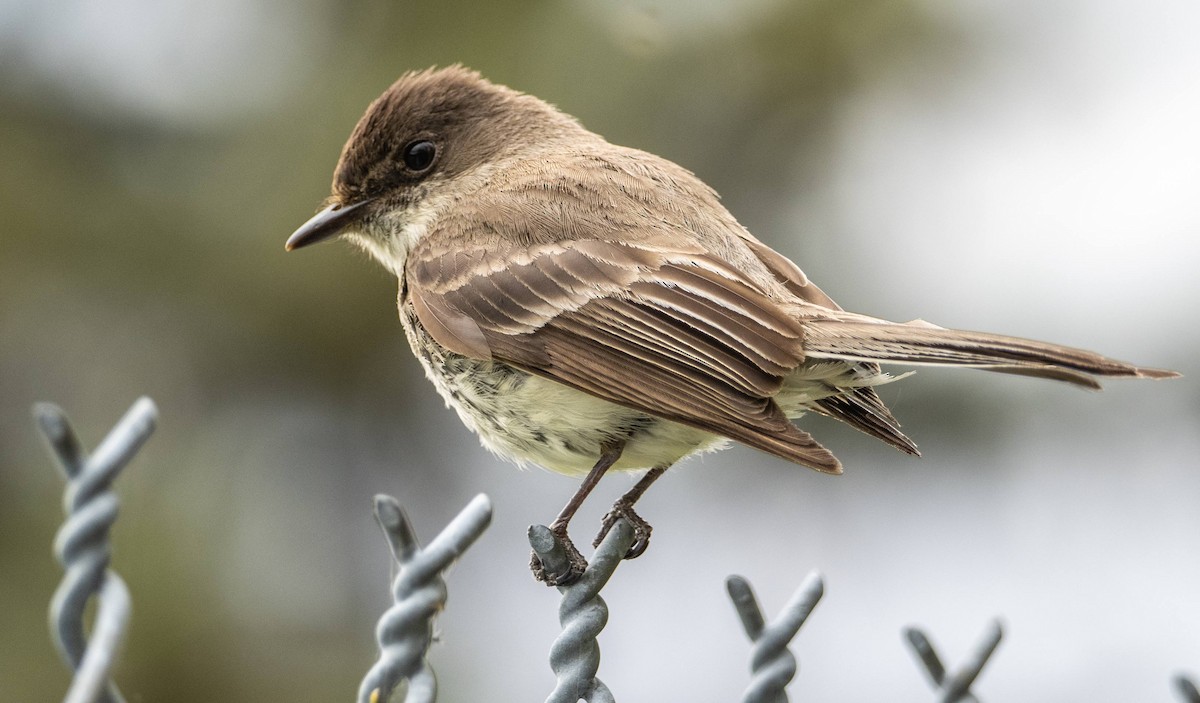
82, 548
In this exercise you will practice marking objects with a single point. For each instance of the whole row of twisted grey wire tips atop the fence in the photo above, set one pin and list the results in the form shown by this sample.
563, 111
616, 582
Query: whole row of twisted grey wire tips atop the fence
405, 633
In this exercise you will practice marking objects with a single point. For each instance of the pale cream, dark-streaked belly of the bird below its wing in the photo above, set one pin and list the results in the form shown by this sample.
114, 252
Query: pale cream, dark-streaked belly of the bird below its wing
526, 418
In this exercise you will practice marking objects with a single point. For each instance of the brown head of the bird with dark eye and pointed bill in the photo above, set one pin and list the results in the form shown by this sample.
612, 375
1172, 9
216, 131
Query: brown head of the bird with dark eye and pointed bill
419, 147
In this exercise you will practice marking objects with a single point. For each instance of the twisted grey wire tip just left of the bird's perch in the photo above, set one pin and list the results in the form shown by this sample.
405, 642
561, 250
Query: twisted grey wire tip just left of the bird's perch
406, 630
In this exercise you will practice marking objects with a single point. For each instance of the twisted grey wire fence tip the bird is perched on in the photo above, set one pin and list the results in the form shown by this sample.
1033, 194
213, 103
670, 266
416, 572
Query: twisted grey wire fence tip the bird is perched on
583, 614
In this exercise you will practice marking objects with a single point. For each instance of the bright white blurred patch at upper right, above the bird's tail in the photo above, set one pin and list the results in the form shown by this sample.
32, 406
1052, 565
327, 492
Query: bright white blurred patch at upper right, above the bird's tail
1058, 167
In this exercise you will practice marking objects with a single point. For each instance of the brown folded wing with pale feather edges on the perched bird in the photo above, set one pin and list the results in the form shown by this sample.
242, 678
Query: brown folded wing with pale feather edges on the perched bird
676, 334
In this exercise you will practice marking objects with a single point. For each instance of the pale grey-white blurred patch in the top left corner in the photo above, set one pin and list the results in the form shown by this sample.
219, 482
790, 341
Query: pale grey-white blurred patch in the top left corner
181, 63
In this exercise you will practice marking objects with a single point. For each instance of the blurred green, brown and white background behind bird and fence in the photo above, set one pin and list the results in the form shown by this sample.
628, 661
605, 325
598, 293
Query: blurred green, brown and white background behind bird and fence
1019, 167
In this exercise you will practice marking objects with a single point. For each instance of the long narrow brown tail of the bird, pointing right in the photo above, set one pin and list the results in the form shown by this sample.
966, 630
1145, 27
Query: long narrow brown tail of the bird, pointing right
922, 344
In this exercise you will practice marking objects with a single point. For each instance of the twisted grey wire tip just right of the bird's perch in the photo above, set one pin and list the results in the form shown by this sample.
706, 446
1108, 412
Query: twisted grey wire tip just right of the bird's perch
771, 663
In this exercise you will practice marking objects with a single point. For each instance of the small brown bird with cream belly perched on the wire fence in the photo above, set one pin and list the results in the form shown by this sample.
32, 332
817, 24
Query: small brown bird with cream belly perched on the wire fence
592, 308
